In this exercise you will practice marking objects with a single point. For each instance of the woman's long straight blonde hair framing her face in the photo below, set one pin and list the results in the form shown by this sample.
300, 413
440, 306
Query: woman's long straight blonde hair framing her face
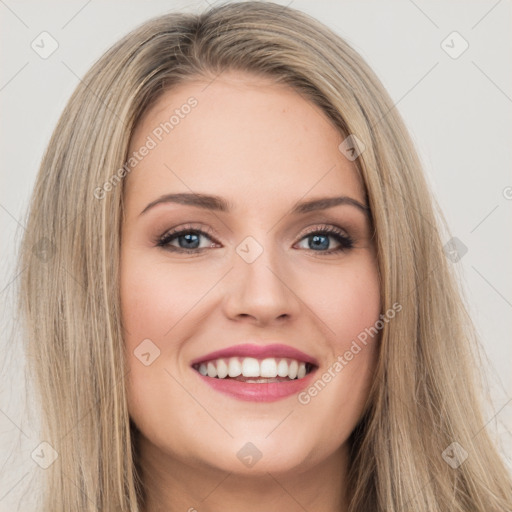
425, 395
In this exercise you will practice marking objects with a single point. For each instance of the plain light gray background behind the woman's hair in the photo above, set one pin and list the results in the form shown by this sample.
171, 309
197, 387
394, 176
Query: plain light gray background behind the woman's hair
459, 112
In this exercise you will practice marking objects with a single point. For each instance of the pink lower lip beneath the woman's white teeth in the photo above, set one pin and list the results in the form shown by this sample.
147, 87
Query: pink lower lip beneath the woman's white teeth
258, 392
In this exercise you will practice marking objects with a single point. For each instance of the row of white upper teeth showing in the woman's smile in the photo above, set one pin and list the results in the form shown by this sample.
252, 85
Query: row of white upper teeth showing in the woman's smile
267, 368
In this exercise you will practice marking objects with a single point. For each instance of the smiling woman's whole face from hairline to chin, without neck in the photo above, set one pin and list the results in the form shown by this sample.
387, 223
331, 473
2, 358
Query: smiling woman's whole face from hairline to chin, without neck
251, 273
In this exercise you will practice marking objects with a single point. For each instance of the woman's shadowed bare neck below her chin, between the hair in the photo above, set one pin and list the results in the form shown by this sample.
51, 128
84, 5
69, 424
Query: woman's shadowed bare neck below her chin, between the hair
176, 486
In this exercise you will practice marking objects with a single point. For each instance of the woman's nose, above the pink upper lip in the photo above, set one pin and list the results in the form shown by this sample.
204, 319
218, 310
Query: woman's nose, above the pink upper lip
262, 291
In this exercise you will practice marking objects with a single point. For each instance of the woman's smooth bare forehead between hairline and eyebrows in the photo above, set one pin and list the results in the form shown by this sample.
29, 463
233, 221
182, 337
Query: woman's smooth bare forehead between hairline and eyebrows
242, 137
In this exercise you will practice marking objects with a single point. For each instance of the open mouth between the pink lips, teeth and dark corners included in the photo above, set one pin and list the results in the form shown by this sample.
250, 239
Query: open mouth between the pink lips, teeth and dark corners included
255, 371
